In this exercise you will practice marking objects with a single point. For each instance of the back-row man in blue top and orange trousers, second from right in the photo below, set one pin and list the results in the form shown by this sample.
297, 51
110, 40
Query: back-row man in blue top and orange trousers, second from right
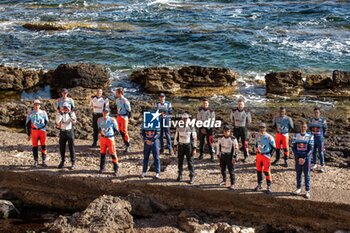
283, 125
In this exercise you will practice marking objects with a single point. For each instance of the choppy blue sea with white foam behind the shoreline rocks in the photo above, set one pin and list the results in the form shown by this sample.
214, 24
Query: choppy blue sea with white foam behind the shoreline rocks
252, 37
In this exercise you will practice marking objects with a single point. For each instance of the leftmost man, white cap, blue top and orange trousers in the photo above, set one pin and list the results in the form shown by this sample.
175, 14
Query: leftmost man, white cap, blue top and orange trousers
36, 123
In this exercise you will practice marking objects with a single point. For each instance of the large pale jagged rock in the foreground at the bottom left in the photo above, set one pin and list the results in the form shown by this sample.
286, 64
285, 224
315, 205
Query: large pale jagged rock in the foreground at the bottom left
105, 214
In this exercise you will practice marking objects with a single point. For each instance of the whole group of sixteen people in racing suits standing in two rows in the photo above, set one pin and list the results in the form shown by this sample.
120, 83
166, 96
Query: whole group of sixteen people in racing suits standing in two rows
305, 145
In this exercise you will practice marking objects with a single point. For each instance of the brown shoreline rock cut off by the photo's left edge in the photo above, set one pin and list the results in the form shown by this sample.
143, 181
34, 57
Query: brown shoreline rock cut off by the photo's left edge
18, 79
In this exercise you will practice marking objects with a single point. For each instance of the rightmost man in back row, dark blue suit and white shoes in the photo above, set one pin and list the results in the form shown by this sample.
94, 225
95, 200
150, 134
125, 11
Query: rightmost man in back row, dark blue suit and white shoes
318, 128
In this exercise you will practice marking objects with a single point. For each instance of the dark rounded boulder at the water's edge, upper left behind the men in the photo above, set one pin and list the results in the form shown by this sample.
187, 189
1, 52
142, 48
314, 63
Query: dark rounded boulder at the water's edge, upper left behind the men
91, 76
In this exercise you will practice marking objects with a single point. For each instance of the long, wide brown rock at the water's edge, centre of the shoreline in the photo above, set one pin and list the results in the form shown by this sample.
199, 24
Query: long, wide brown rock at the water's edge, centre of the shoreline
175, 81
